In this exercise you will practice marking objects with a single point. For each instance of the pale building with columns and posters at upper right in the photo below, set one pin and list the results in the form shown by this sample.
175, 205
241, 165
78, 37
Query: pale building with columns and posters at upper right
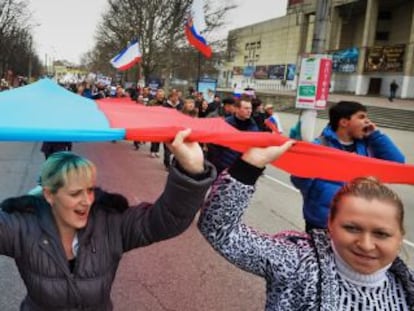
371, 43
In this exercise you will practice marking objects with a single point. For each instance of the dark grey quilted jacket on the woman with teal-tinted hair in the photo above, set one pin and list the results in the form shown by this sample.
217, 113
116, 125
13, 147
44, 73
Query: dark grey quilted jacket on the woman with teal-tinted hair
29, 235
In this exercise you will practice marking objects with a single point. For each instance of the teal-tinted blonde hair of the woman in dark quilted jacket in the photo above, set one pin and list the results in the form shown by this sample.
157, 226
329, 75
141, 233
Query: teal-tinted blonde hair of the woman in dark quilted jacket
55, 170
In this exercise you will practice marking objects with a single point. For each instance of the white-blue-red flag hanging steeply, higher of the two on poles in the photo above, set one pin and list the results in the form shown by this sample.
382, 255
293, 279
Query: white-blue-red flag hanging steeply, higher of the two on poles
194, 25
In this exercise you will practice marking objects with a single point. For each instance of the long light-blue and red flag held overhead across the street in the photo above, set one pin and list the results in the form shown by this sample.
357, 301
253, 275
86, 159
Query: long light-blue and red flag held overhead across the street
45, 111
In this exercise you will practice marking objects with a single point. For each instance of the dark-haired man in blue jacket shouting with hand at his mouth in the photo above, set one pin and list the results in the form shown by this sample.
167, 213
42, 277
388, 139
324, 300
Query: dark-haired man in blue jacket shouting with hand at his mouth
349, 129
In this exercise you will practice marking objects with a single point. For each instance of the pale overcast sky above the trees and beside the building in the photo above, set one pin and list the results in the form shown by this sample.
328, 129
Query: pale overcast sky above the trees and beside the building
65, 28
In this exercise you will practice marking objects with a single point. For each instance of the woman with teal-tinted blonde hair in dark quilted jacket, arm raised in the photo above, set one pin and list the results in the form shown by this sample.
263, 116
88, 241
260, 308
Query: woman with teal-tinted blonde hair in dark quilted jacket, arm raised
67, 241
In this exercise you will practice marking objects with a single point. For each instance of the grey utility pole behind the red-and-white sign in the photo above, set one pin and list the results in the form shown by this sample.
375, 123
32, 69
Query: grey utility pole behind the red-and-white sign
308, 117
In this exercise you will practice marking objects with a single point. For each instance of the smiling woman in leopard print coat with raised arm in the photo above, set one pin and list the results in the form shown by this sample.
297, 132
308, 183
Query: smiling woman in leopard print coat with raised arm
354, 265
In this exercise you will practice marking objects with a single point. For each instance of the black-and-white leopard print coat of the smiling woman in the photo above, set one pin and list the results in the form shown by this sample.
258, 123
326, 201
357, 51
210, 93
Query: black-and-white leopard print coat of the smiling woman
299, 269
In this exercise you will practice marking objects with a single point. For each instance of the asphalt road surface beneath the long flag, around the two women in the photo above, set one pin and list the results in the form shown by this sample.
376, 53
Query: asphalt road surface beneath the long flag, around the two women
183, 273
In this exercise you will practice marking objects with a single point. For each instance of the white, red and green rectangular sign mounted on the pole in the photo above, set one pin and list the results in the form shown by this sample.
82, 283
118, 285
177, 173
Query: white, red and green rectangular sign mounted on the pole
314, 82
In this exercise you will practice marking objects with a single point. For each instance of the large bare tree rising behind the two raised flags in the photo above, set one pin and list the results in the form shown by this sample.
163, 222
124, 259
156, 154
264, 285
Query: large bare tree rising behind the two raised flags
159, 26
